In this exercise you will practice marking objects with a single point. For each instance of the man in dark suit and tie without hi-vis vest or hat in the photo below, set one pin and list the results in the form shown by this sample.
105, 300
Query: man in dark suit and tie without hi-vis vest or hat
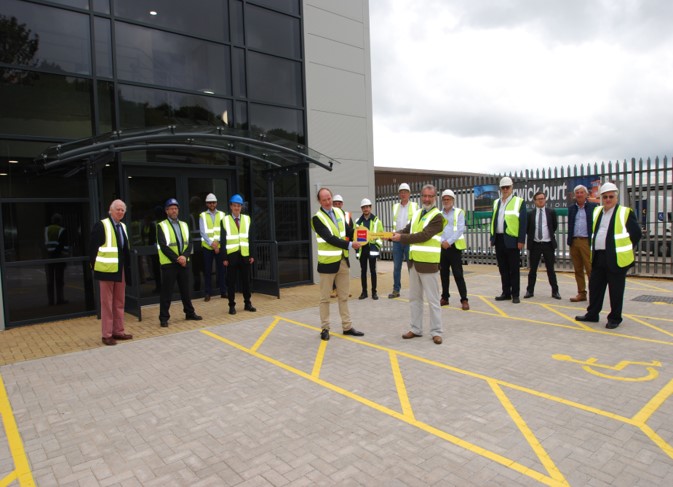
541, 241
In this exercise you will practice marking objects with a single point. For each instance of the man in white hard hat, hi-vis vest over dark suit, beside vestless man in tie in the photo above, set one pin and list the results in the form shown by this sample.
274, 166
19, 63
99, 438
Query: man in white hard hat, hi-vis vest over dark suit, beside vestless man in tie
508, 235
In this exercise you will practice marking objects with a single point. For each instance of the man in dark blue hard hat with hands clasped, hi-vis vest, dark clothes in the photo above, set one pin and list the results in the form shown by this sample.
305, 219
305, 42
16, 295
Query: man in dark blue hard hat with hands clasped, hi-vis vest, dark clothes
175, 246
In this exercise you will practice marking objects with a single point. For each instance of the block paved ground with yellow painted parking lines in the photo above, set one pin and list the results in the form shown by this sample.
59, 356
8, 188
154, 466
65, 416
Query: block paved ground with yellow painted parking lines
516, 395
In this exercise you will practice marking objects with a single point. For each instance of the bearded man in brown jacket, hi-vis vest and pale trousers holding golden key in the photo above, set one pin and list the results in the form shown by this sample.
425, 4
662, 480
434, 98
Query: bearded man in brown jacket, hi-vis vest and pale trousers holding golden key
423, 235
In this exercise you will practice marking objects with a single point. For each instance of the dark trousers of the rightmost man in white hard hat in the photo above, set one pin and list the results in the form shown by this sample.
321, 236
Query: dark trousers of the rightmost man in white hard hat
602, 277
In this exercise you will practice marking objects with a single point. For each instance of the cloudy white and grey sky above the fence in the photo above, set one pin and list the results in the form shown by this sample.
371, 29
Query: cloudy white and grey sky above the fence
504, 85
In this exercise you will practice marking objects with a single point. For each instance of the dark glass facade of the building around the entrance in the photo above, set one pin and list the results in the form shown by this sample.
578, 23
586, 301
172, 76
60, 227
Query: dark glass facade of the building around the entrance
76, 69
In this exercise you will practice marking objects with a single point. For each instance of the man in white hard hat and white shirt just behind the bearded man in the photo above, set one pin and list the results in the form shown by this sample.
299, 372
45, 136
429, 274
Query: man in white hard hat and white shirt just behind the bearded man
453, 244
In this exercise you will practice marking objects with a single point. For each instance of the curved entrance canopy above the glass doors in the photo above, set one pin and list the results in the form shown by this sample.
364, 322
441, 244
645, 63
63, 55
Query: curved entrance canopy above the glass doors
274, 152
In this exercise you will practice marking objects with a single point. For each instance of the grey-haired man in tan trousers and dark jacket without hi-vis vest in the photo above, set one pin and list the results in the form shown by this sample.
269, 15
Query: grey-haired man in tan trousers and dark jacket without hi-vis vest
579, 239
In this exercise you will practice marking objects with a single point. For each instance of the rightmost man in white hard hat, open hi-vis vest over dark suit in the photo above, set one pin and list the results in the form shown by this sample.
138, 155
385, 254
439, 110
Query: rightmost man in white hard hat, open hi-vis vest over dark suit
615, 233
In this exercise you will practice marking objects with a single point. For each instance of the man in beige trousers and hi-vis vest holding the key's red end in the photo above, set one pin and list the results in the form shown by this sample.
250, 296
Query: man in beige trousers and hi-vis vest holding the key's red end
334, 241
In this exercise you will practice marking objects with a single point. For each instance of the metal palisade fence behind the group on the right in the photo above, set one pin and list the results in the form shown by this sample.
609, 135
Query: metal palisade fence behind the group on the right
646, 186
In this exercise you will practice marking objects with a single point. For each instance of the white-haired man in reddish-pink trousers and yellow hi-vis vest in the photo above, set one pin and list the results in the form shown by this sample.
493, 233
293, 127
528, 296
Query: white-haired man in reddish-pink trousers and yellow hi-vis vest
110, 259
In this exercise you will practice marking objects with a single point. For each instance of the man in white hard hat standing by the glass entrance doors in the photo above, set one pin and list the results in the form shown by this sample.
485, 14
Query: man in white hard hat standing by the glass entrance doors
209, 228
